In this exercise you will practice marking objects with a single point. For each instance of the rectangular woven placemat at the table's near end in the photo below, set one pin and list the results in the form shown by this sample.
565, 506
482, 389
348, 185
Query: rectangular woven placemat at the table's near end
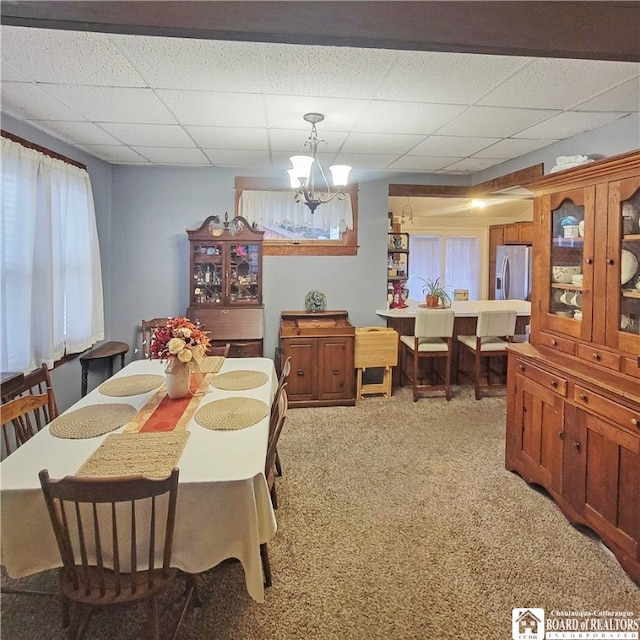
124, 454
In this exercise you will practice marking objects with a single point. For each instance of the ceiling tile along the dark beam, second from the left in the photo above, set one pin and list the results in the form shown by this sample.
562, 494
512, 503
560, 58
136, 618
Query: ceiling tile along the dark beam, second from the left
199, 65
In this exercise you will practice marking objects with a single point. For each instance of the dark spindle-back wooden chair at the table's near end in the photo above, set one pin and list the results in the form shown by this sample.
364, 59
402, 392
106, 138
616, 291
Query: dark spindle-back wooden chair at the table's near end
115, 537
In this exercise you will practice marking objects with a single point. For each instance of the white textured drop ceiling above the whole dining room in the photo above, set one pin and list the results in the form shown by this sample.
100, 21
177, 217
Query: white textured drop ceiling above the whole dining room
143, 98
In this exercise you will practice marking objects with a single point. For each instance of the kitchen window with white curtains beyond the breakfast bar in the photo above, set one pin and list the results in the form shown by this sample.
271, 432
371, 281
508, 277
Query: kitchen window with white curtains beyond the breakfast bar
452, 258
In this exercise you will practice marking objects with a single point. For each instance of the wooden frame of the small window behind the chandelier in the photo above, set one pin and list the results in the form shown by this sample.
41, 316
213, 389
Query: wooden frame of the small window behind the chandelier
346, 246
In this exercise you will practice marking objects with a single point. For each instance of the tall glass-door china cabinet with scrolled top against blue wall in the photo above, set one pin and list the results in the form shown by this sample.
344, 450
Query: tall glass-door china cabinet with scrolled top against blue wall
225, 283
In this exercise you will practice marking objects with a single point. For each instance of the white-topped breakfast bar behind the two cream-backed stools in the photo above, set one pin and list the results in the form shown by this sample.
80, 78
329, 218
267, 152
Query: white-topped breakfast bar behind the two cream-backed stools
402, 320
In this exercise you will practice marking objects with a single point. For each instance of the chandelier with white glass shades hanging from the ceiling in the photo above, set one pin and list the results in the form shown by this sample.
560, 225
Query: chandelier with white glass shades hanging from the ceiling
302, 177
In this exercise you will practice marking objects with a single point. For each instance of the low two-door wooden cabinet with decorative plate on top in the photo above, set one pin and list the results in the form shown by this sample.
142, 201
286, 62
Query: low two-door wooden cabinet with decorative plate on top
321, 346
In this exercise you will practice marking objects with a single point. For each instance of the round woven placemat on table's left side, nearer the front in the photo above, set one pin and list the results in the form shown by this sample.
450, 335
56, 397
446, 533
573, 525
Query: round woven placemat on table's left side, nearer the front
91, 421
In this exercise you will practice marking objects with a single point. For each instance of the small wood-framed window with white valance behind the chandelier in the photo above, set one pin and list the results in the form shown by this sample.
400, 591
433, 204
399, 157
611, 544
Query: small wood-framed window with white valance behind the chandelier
290, 228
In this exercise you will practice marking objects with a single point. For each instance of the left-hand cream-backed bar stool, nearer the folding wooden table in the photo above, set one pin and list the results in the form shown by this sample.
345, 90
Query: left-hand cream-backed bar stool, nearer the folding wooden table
432, 341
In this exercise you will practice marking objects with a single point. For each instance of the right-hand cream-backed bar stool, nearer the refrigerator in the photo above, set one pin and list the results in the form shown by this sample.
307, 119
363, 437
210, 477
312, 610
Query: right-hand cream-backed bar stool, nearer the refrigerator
494, 330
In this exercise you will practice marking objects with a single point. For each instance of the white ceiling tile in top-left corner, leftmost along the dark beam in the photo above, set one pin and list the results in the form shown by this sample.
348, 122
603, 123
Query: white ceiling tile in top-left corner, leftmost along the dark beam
67, 57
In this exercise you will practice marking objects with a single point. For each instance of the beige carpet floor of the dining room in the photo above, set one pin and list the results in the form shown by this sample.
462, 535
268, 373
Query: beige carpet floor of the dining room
396, 521
